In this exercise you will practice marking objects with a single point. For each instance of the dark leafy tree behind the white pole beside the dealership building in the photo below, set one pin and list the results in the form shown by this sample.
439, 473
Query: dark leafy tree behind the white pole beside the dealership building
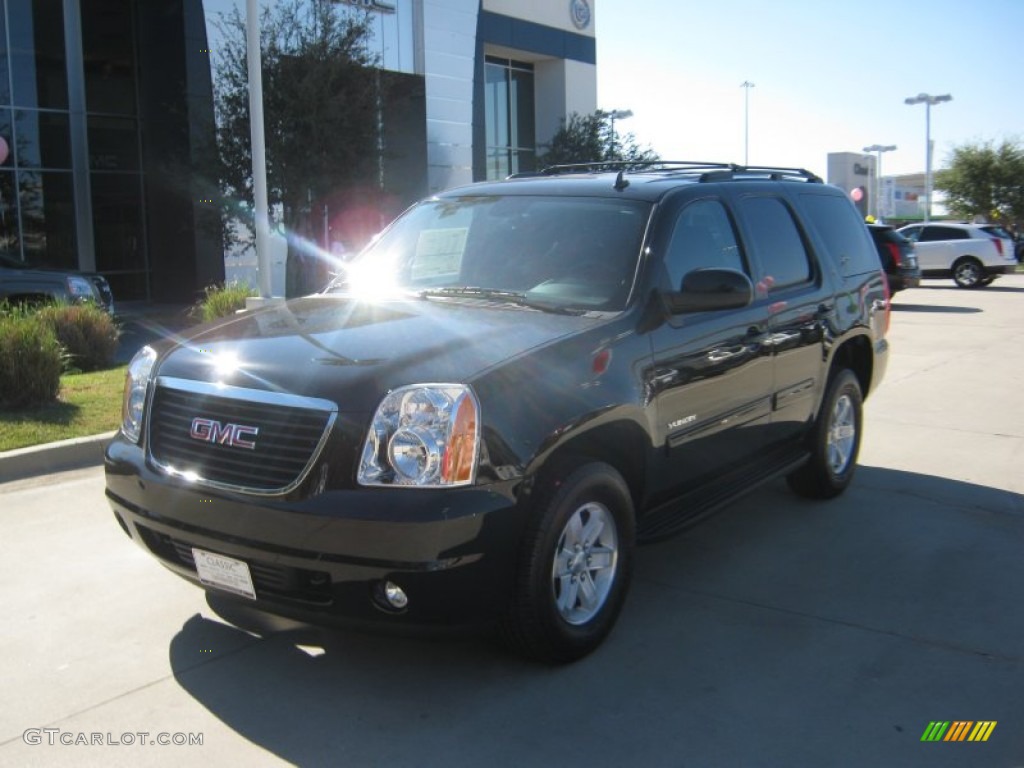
322, 93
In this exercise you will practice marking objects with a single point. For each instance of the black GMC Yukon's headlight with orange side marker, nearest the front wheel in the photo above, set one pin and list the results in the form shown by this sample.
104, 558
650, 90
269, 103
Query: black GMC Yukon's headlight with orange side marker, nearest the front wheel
423, 436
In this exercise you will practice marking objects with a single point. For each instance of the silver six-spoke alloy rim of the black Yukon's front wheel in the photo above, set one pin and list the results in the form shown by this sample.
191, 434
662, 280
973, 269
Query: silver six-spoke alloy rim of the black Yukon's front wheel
585, 564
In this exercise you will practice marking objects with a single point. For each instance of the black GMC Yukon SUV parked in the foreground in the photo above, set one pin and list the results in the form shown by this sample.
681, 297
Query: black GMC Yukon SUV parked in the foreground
503, 394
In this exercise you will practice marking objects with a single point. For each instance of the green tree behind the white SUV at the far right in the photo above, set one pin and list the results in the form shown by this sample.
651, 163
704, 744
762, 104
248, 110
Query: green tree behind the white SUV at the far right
986, 181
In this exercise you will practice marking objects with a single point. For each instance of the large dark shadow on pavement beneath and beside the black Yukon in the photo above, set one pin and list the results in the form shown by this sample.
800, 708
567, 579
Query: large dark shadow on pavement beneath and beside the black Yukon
782, 627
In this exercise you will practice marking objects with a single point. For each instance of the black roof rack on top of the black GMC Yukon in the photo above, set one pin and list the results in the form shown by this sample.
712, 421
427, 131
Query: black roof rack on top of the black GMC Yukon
709, 172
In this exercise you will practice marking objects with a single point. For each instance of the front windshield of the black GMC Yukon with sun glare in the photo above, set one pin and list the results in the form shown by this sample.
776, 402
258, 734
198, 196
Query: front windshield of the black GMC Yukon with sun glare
559, 252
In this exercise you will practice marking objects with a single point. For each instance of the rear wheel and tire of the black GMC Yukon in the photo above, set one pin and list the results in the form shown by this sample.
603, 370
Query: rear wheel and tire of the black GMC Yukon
835, 442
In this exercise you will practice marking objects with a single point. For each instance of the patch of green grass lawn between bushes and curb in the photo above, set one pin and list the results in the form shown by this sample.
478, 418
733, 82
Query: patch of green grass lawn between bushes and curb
89, 405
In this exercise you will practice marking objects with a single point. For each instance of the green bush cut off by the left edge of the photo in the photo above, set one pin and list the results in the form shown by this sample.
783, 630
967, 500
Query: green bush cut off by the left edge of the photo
31, 360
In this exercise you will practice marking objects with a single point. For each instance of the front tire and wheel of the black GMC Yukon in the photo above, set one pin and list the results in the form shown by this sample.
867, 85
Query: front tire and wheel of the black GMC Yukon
575, 566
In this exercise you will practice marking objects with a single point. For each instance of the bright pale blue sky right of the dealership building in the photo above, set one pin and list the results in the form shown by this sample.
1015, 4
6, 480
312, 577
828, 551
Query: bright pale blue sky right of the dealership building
829, 76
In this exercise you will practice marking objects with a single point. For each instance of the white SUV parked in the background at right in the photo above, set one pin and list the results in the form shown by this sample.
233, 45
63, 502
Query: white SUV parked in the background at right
973, 255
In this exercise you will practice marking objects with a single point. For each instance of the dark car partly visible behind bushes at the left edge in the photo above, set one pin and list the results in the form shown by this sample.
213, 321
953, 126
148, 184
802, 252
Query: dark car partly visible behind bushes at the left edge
22, 282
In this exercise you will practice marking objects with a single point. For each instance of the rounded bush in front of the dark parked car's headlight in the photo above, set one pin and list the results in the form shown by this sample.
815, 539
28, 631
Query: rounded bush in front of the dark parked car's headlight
89, 335
